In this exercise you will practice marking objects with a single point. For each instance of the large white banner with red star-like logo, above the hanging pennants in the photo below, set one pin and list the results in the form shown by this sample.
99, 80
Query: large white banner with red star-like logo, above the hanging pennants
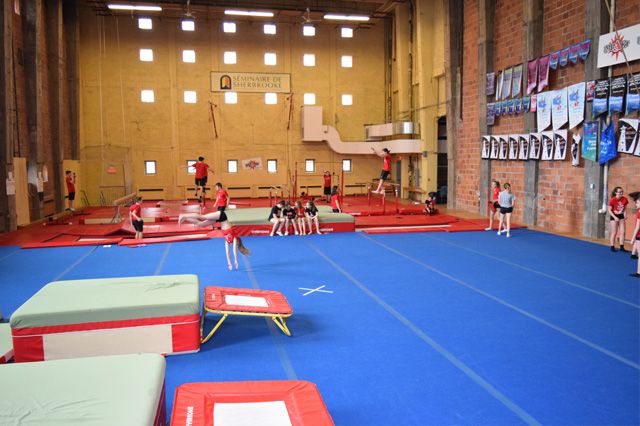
610, 46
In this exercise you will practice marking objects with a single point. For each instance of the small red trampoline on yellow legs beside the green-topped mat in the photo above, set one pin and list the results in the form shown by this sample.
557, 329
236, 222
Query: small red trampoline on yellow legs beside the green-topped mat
244, 301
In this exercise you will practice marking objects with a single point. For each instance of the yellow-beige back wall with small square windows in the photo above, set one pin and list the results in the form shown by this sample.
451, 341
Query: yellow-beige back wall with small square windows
117, 129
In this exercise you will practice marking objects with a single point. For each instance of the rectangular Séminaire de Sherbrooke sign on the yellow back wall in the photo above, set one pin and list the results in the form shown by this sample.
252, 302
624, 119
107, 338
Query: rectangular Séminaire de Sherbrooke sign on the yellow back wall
250, 82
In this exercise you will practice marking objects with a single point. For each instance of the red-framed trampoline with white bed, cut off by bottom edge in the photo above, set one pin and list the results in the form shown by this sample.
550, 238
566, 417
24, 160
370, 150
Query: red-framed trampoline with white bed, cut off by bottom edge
268, 403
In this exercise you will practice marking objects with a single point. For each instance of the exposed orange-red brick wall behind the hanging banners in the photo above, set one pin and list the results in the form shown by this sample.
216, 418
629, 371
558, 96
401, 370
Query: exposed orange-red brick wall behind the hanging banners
560, 185
